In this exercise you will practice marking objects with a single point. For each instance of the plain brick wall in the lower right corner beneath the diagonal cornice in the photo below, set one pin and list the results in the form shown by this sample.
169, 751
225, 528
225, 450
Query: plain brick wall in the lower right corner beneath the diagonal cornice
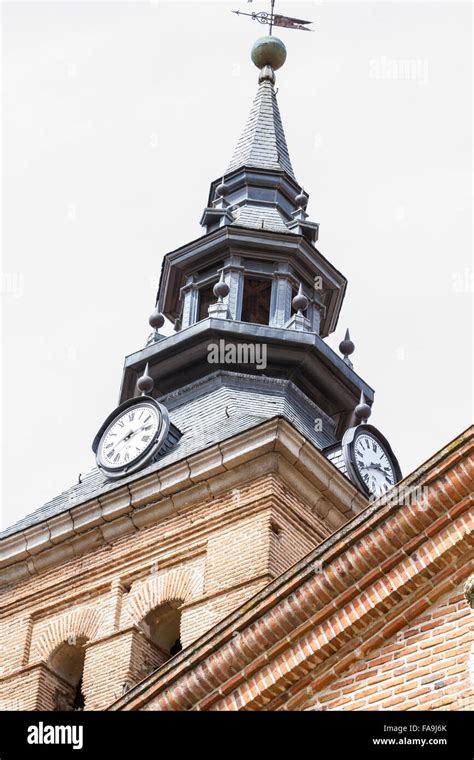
426, 667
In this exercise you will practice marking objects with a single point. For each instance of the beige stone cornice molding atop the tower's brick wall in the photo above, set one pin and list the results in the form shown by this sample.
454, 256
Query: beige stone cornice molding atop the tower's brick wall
141, 502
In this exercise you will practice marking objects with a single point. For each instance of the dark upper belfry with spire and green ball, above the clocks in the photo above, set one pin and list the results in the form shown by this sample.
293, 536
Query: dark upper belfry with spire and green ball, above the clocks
254, 284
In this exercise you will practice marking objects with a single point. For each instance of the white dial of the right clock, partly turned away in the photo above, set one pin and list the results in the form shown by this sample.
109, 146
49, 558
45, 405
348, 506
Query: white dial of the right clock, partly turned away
373, 464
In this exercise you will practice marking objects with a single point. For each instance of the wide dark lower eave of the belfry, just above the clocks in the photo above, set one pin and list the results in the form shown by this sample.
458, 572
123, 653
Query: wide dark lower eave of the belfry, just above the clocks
302, 357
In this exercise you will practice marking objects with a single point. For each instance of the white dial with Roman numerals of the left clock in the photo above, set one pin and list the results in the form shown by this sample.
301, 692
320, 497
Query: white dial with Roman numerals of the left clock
129, 436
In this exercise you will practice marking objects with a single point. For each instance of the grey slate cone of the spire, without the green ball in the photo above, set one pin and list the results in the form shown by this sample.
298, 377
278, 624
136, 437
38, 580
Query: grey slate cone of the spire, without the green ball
262, 143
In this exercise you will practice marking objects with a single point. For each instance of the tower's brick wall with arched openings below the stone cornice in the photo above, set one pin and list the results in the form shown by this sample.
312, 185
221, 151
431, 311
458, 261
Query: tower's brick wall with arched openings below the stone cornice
211, 558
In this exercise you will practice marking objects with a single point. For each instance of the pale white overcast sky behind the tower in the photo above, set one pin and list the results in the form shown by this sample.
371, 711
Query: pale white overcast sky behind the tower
116, 117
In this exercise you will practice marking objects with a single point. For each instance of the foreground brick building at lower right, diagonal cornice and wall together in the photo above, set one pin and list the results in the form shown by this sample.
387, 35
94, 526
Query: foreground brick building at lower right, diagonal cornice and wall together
376, 617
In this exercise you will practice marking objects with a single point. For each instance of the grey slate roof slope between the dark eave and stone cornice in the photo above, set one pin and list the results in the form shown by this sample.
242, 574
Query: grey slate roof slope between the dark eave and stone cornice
207, 412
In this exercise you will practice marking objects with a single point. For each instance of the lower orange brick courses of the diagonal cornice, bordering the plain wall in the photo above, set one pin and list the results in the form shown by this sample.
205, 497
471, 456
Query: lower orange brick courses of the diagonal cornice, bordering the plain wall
331, 642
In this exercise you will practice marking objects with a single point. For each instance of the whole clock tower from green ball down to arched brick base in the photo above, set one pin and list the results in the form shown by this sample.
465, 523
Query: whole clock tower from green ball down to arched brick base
239, 444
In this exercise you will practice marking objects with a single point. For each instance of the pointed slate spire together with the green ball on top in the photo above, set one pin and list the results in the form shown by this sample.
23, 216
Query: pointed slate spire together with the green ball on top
262, 144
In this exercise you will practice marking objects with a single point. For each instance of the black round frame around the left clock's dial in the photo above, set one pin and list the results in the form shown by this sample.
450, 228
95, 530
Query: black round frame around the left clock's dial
151, 450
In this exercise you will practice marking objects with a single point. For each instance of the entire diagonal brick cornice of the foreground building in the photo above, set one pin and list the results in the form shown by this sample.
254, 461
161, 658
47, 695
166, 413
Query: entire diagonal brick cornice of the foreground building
368, 580
